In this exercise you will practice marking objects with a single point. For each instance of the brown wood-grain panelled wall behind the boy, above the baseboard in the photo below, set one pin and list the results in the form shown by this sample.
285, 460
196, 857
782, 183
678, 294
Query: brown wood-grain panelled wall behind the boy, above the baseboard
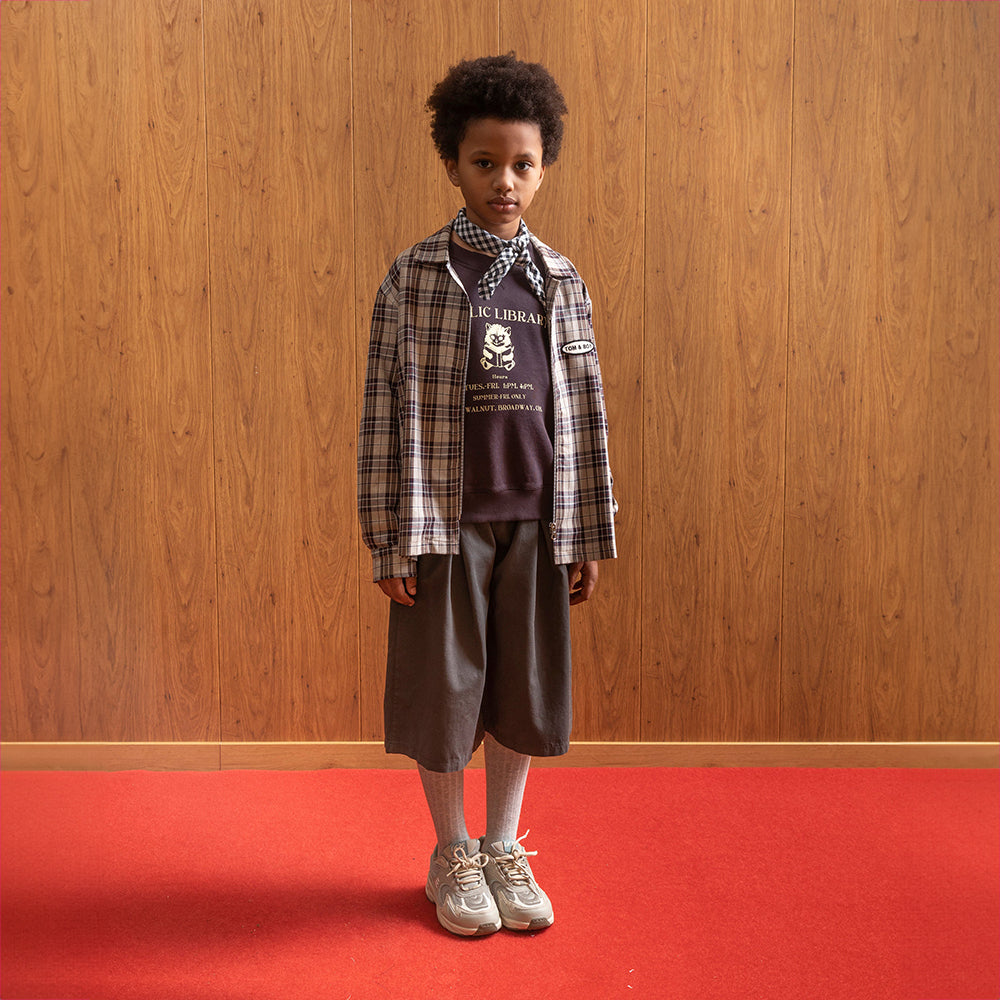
787, 215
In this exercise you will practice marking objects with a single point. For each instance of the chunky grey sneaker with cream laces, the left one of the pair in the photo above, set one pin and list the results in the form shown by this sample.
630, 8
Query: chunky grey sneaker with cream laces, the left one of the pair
455, 884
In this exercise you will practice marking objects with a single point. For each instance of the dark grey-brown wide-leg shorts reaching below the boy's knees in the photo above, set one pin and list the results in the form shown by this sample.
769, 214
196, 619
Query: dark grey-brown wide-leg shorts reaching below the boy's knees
485, 648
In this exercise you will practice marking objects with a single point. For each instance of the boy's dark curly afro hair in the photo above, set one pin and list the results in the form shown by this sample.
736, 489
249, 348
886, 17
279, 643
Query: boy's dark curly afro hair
499, 87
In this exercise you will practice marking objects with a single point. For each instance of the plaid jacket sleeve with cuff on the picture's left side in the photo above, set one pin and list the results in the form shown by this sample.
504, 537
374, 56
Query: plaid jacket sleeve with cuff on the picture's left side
379, 474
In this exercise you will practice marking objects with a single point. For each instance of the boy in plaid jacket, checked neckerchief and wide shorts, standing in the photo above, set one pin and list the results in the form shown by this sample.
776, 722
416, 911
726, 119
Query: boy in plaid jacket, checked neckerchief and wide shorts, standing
484, 490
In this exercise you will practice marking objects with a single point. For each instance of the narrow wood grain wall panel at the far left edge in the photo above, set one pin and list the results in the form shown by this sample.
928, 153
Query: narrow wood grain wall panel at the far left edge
41, 653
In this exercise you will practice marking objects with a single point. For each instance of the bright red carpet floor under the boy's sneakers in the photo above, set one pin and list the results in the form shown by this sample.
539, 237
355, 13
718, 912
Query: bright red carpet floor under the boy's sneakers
679, 884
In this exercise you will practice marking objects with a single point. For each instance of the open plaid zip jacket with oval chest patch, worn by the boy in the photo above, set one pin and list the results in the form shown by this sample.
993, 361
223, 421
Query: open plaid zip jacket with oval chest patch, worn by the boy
410, 448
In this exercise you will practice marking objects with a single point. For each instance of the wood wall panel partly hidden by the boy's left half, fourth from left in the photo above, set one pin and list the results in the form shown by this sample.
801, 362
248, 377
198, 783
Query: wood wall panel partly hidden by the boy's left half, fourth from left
401, 50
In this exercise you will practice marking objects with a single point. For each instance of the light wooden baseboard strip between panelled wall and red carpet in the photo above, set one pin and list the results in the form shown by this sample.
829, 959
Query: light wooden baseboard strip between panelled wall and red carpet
316, 756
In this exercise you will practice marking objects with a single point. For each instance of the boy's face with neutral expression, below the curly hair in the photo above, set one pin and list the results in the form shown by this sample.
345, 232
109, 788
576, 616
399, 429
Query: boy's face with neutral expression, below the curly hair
499, 169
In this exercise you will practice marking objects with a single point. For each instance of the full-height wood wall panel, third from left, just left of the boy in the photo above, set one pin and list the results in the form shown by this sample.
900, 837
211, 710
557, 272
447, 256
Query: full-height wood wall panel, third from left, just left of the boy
282, 241
